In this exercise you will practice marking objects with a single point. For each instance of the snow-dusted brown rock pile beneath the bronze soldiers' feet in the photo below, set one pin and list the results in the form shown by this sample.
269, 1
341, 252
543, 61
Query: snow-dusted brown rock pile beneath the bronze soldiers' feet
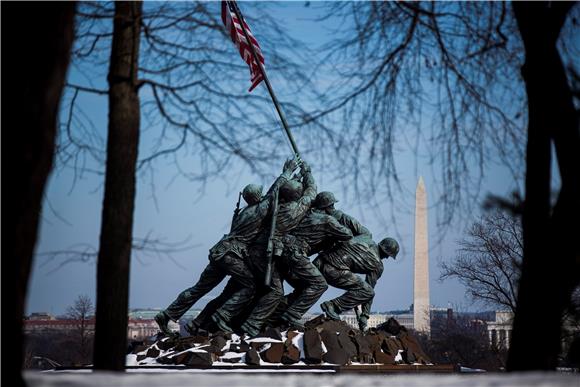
322, 342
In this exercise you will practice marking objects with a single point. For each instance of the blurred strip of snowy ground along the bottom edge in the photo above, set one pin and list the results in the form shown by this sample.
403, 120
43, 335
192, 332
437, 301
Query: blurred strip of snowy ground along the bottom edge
184, 378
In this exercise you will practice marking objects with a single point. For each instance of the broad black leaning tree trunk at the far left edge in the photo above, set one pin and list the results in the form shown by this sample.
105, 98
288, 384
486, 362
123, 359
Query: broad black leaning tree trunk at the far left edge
33, 71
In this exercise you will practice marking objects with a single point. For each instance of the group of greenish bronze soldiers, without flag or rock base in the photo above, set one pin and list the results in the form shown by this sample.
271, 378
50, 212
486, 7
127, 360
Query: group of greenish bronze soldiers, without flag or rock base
288, 225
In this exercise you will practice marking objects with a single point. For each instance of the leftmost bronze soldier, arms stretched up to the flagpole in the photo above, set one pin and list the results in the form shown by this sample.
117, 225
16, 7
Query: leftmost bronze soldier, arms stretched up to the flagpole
228, 257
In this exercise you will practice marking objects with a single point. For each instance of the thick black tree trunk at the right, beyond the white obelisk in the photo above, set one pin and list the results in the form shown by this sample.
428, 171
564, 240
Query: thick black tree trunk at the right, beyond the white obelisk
550, 249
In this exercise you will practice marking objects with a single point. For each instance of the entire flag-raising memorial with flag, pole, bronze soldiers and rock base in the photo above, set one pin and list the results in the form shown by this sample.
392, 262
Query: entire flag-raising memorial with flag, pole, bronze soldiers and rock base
271, 240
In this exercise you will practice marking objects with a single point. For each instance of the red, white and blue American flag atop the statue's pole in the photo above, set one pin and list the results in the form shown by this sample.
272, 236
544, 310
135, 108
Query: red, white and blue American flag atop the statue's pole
232, 25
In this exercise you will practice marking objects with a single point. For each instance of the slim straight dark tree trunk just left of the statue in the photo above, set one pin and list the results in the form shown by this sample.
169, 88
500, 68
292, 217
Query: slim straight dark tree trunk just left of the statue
117, 216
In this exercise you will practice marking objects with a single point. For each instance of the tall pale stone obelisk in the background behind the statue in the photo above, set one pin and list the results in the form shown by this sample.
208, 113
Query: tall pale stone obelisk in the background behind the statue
421, 281
